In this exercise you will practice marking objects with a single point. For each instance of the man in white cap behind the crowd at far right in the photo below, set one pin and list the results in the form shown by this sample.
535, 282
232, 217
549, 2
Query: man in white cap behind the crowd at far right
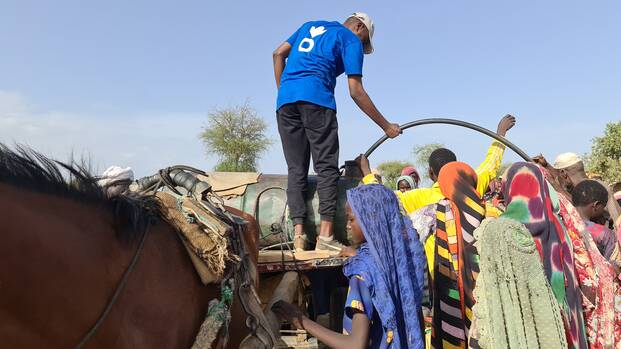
571, 168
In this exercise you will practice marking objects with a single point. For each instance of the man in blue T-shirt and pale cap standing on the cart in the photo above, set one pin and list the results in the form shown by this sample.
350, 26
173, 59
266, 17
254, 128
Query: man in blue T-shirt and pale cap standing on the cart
306, 67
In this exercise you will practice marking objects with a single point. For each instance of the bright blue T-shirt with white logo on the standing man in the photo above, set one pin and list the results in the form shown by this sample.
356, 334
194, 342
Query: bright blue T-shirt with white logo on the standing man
320, 51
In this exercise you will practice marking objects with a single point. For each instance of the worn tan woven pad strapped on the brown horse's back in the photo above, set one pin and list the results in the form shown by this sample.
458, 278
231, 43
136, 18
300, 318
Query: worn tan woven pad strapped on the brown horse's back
203, 234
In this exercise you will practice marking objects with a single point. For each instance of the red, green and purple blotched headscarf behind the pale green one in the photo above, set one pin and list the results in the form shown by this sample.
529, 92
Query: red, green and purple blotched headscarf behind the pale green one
530, 202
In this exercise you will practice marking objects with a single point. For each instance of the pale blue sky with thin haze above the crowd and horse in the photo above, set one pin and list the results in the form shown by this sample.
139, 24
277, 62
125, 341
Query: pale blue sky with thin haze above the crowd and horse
131, 82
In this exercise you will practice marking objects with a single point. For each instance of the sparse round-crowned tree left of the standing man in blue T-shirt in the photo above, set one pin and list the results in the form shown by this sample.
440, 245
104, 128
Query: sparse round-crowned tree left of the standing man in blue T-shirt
237, 136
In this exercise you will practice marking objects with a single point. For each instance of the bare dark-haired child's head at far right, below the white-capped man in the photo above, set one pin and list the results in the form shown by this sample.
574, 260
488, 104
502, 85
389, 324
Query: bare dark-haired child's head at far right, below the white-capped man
590, 198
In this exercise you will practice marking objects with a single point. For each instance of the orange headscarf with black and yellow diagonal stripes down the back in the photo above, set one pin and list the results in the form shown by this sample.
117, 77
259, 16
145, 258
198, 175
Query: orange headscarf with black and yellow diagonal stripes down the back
455, 257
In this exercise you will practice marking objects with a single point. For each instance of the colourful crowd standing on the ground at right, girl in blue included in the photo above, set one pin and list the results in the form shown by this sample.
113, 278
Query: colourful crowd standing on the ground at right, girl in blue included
525, 259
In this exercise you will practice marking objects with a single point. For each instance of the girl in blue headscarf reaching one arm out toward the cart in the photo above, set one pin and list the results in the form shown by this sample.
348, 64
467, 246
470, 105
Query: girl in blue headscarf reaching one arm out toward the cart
385, 278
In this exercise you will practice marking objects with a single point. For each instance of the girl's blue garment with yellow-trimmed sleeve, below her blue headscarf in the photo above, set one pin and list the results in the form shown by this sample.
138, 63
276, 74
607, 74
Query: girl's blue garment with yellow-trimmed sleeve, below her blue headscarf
359, 300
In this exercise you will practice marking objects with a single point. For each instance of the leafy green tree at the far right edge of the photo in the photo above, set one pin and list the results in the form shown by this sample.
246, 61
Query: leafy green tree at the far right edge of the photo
605, 157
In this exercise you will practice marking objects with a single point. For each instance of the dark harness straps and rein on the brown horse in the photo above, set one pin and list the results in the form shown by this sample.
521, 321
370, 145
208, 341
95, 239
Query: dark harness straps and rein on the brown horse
239, 273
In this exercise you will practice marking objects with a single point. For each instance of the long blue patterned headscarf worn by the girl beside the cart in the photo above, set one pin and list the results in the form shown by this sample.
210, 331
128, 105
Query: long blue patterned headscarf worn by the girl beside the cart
391, 262
